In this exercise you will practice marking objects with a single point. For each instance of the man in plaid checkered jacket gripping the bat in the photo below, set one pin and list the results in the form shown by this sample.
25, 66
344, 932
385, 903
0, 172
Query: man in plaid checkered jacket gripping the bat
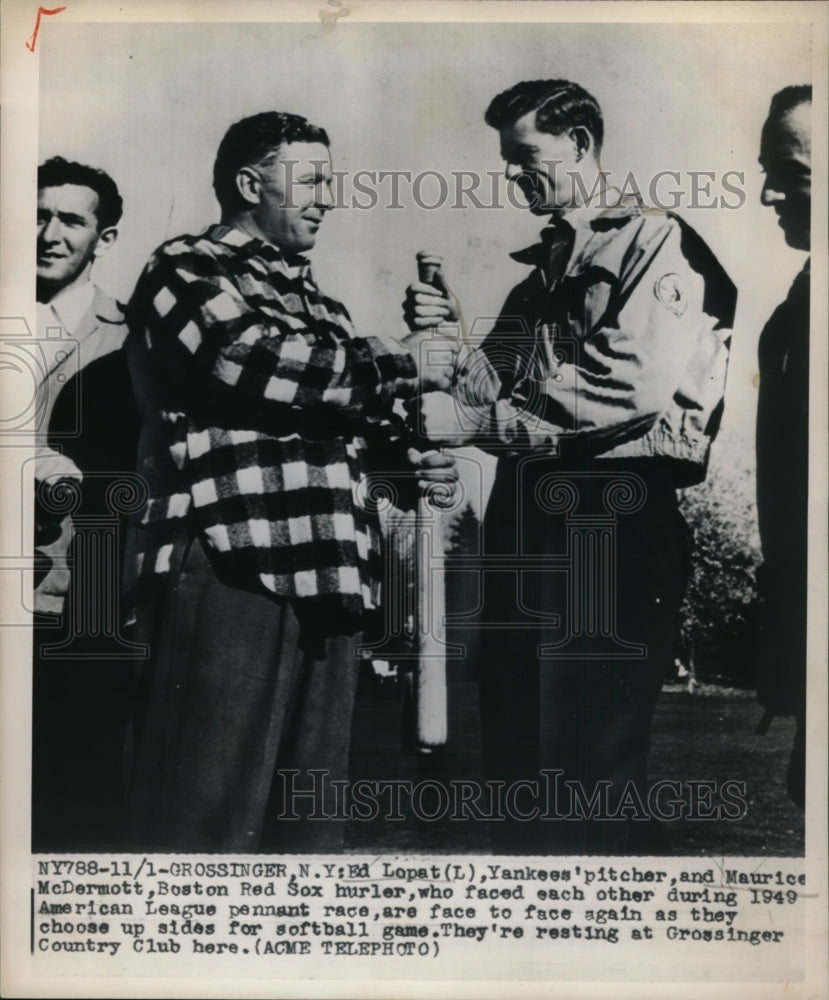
255, 559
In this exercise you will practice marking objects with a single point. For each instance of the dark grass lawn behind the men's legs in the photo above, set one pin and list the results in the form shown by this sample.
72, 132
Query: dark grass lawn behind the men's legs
702, 737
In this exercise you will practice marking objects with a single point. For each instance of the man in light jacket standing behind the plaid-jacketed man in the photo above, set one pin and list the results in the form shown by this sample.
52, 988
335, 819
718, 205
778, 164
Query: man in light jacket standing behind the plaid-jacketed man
86, 434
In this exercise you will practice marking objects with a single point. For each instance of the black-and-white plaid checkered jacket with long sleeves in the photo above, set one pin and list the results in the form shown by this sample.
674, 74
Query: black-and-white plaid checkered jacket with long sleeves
260, 410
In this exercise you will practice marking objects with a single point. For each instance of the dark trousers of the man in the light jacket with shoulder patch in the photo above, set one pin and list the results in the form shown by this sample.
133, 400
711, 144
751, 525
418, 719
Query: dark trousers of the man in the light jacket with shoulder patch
567, 694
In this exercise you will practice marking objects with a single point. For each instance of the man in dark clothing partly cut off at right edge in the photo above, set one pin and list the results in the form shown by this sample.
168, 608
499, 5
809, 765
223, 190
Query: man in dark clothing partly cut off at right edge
783, 431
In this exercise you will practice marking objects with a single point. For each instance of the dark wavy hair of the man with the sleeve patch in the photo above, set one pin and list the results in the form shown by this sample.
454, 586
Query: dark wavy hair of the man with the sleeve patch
558, 104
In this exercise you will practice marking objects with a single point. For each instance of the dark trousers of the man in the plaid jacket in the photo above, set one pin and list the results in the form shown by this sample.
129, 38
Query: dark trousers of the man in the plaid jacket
230, 706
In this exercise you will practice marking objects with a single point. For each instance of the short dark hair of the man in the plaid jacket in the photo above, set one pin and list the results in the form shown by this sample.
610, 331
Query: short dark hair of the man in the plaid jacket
250, 140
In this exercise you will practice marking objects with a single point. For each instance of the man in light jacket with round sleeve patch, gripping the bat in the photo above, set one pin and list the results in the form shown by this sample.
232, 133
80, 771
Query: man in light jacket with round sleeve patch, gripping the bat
600, 389
